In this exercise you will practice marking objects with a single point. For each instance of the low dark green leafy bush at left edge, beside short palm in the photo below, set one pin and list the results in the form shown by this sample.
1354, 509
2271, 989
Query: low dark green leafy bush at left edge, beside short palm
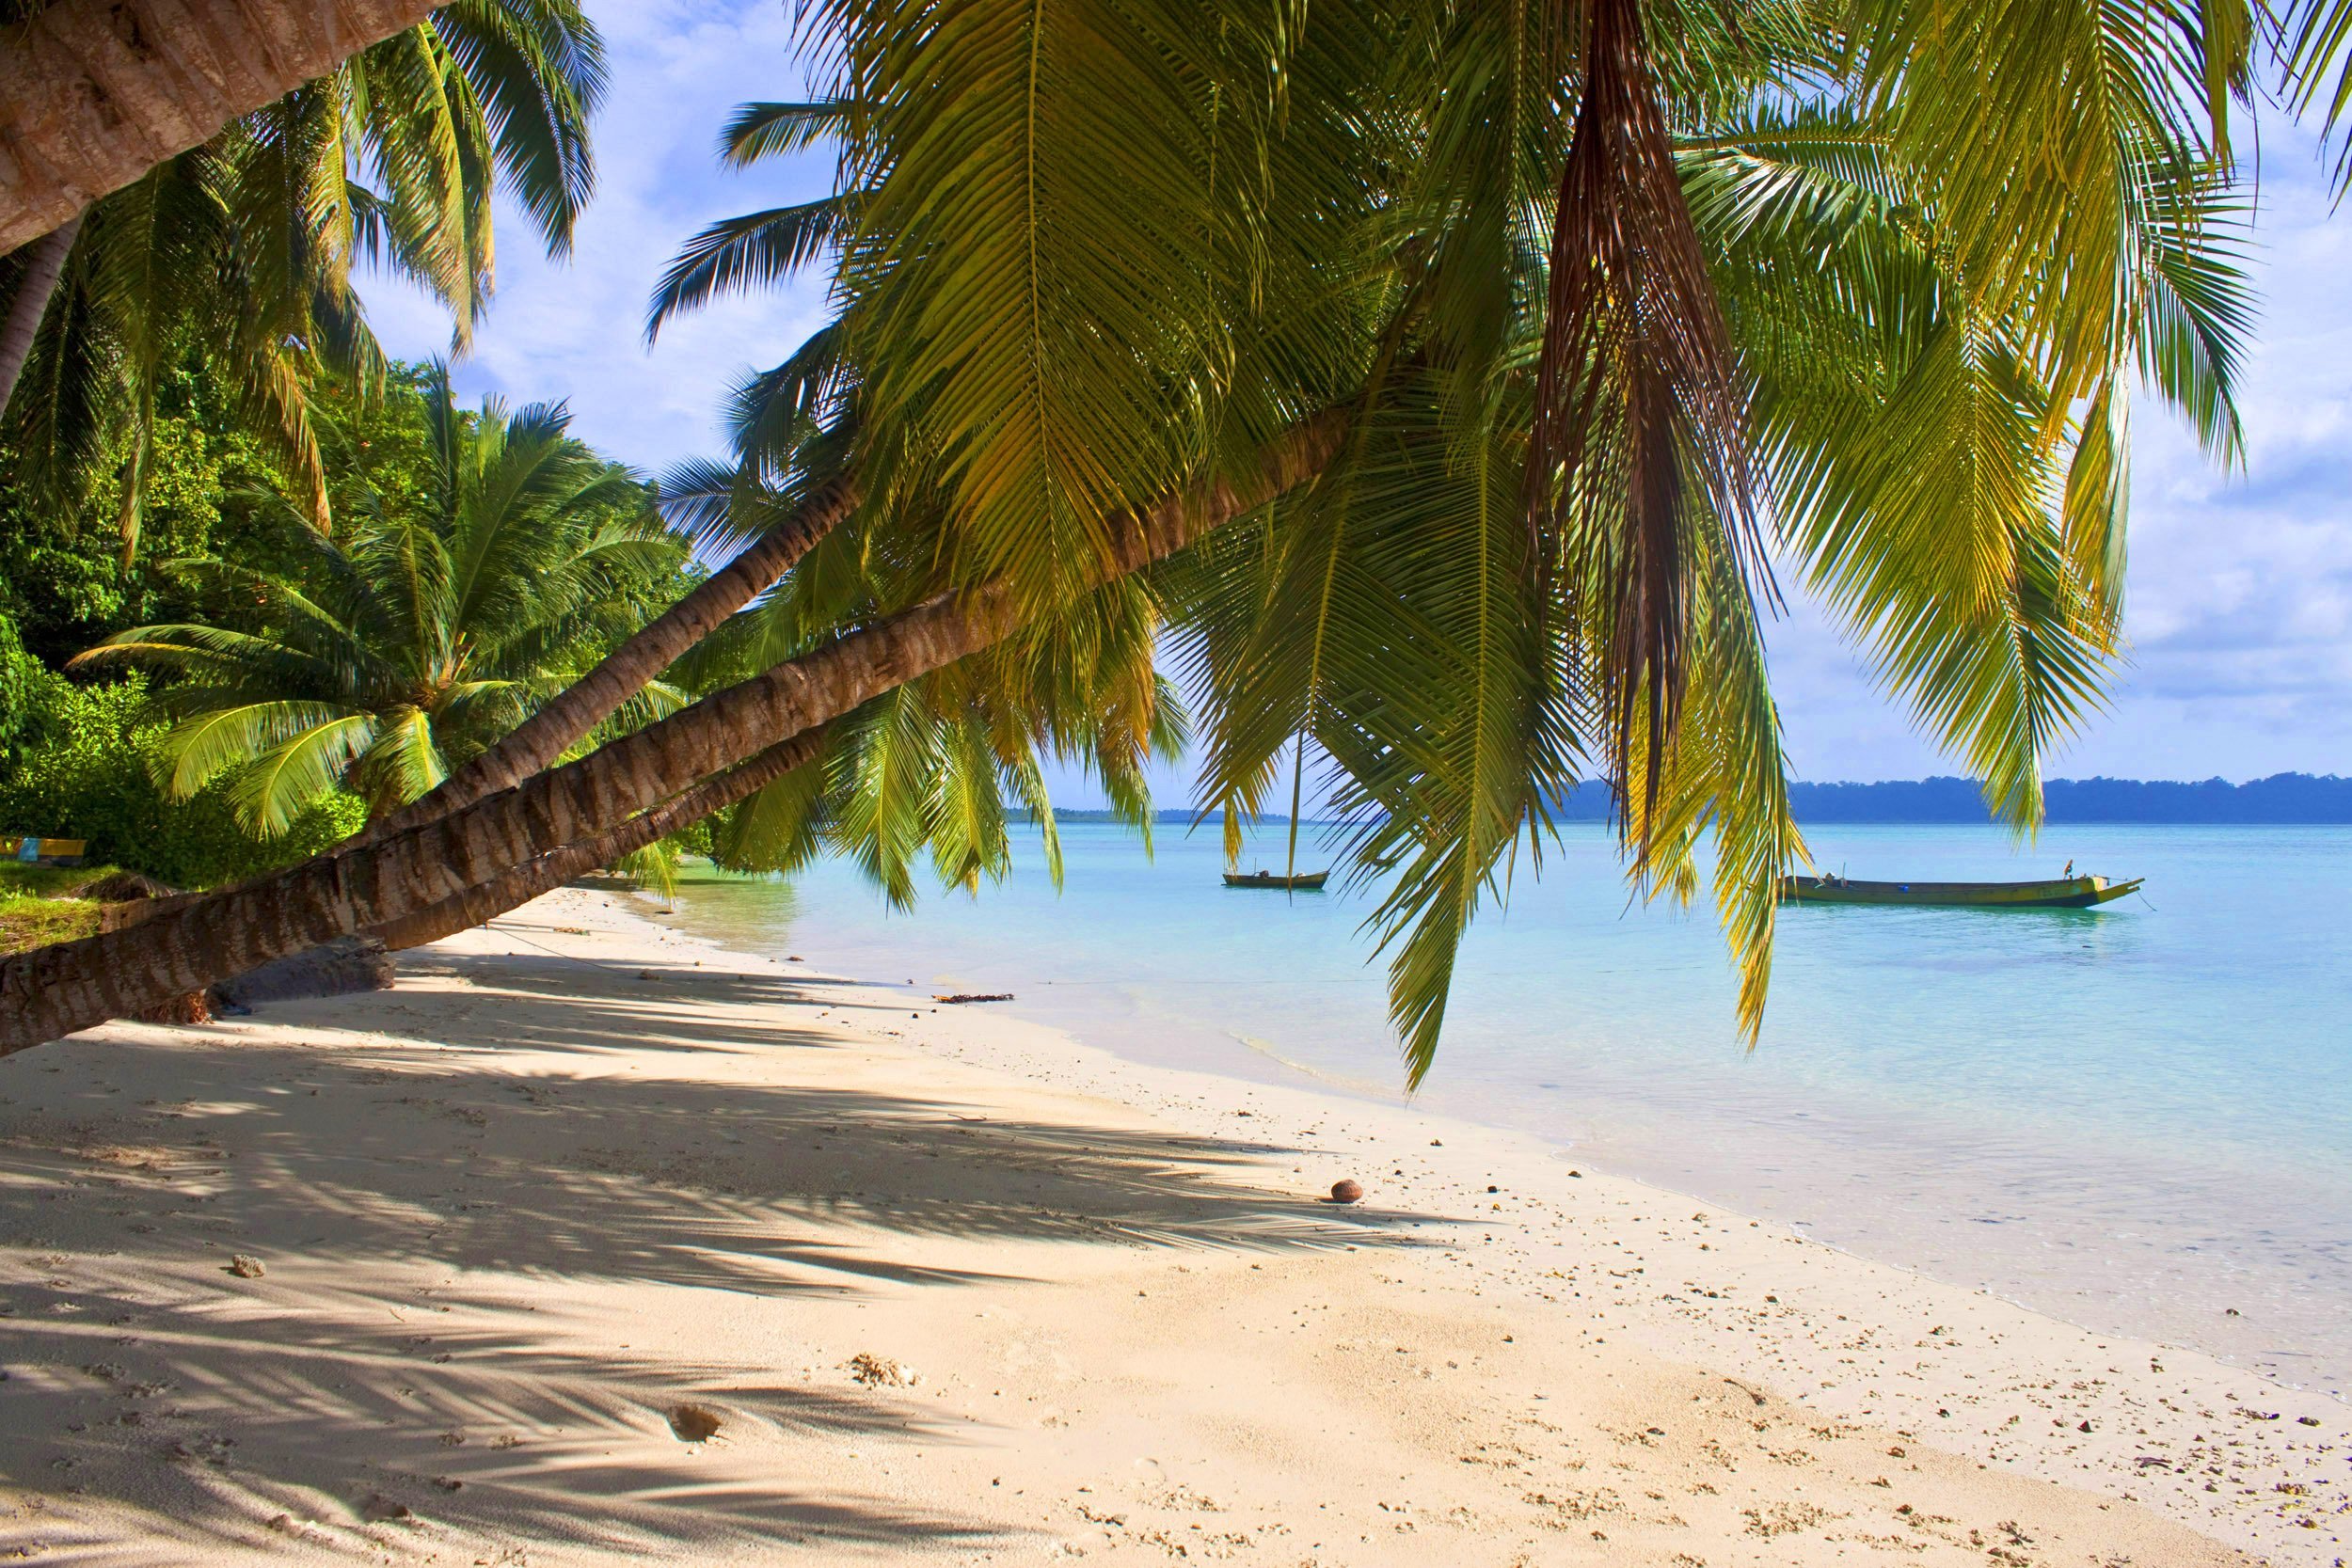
81, 768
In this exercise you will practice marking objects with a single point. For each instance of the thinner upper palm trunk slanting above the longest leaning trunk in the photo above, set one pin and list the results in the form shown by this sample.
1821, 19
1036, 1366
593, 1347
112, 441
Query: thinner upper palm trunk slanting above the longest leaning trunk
632, 666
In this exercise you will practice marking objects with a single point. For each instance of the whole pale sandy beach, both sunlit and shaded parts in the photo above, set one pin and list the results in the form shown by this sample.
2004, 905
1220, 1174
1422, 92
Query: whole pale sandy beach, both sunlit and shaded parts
596, 1245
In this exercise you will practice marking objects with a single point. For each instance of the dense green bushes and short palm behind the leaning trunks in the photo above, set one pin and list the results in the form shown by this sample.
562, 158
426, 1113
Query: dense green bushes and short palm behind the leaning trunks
481, 561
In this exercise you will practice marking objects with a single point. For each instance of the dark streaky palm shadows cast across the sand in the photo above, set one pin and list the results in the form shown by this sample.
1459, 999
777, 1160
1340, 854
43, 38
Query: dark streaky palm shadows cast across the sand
206, 1407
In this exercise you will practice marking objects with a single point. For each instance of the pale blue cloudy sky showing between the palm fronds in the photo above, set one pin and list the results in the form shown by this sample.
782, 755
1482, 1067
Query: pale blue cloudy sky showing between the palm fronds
2240, 596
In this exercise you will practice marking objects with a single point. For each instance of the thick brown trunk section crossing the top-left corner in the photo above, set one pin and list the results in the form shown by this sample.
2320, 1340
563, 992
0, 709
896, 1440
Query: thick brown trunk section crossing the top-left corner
98, 93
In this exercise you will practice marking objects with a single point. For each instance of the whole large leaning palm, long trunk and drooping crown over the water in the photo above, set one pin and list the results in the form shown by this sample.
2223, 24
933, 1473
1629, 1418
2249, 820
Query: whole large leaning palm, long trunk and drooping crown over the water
1448, 380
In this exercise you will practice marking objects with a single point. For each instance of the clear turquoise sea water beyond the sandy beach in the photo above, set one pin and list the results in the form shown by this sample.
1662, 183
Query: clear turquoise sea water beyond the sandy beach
2134, 1118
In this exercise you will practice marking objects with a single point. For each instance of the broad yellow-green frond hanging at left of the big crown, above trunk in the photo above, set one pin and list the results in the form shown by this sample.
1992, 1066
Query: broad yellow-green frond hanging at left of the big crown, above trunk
1053, 361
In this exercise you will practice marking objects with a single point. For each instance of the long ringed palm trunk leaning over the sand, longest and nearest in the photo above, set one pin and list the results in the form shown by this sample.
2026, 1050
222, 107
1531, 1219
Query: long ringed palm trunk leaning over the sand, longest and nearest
72, 986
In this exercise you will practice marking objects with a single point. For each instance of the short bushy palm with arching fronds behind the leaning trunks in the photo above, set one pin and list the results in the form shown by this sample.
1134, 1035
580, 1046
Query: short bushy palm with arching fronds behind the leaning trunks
408, 645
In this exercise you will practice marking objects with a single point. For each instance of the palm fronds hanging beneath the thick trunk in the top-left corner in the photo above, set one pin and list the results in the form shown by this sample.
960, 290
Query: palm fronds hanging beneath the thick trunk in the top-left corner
243, 248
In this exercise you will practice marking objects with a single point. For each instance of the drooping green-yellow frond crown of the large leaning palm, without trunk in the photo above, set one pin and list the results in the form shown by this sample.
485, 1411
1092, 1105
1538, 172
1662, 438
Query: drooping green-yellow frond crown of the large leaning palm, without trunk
1544, 460
